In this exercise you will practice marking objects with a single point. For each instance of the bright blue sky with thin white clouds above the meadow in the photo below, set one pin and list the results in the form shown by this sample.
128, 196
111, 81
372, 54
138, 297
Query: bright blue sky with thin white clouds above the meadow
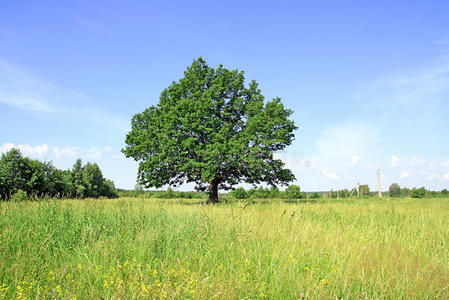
368, 81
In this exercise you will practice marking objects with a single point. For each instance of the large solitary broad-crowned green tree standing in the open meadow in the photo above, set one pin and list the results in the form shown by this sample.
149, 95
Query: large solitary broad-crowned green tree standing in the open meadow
211, 129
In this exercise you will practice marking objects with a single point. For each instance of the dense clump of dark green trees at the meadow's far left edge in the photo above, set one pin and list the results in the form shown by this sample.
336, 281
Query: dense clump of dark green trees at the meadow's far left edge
22, 178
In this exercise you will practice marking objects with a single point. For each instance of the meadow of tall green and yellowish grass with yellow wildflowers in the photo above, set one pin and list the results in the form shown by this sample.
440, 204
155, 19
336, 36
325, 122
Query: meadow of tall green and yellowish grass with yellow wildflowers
133, 248
